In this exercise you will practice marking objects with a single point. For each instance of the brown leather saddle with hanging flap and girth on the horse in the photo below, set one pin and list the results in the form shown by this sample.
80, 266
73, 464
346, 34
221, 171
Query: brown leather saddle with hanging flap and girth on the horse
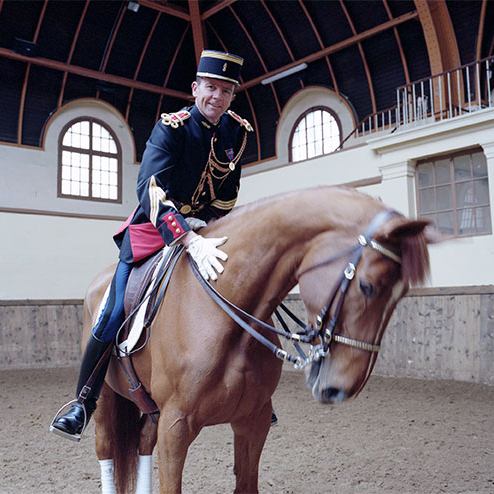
145, 290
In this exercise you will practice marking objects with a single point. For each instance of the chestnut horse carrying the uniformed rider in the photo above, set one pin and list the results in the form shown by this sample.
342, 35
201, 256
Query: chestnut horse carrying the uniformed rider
202, 369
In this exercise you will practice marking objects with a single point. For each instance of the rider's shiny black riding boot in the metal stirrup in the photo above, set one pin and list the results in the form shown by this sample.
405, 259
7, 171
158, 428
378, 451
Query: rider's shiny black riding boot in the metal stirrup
71, 424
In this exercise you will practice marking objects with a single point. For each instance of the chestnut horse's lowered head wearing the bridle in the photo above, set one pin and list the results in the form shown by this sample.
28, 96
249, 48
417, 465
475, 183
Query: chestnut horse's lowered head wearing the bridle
353, 312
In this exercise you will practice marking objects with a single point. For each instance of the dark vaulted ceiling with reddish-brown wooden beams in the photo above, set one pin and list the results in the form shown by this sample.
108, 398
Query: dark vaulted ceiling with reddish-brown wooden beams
141, 56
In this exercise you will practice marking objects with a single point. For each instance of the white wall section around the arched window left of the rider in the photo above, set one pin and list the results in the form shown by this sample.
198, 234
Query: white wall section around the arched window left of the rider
52, 247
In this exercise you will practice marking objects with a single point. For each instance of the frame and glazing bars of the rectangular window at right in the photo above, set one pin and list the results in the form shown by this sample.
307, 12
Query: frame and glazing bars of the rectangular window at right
455, 209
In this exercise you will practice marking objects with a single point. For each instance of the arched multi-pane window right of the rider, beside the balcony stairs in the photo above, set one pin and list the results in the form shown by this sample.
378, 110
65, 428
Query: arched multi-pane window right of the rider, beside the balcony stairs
316, 132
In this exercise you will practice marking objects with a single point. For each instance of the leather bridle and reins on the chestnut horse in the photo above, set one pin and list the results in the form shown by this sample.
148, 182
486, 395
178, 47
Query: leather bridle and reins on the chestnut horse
322, 330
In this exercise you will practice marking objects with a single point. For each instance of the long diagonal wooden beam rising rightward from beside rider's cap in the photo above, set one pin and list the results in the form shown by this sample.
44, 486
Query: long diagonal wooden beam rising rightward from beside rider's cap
341, 45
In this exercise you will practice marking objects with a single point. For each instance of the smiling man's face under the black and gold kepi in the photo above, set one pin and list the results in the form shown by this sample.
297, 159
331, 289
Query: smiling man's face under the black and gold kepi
213, 97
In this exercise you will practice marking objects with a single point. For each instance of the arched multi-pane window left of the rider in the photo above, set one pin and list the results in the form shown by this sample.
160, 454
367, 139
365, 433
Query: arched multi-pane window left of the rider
90, 161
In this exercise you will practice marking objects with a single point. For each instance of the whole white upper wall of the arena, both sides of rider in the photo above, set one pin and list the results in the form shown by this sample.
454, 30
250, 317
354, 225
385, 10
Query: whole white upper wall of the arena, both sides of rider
54, 255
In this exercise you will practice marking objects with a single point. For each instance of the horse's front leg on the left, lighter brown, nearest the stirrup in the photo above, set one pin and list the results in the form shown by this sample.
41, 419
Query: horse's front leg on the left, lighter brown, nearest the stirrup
175, 434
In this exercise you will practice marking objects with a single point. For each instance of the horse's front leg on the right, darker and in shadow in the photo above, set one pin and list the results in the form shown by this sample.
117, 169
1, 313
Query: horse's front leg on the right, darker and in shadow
249, 438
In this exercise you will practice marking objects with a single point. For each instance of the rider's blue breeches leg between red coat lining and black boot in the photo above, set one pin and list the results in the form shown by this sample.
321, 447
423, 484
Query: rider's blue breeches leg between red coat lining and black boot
113, 314
